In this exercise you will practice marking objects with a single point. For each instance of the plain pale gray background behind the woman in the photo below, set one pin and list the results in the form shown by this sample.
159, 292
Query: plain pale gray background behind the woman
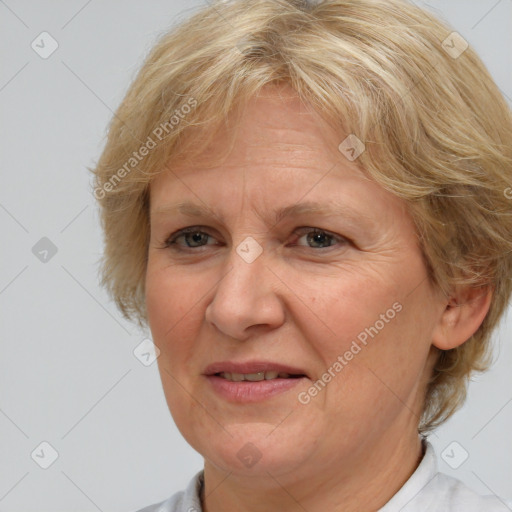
68, 375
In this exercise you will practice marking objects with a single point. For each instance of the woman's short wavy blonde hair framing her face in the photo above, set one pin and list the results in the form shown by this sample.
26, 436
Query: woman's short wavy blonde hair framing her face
437, 133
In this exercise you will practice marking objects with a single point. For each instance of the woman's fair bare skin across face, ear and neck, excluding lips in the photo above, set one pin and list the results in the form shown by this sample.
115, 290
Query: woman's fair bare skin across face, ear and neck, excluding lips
301, 302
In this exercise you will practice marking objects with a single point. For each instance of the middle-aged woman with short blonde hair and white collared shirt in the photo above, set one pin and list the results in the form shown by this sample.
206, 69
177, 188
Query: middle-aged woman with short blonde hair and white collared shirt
306, 204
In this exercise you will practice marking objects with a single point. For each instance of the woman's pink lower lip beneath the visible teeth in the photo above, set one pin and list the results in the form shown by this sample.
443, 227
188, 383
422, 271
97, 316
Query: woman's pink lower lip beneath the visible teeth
247, 391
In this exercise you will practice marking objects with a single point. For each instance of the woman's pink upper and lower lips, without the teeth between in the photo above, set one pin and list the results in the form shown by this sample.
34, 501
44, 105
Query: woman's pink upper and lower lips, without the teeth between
247, 391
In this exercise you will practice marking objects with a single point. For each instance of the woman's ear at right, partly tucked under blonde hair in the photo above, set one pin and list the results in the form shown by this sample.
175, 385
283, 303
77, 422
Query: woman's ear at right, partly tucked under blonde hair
464, 313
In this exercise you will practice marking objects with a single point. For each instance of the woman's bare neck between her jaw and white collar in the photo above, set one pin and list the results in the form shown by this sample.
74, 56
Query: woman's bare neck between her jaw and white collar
364, 483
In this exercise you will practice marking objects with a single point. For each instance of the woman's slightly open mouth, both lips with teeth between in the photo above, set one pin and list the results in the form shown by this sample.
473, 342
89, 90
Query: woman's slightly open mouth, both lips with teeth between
252, 381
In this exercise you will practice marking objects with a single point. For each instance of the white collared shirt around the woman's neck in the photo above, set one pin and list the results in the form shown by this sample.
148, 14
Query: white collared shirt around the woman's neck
427, 490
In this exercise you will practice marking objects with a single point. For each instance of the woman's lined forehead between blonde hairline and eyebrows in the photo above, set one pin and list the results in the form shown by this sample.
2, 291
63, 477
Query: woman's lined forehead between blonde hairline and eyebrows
282, 153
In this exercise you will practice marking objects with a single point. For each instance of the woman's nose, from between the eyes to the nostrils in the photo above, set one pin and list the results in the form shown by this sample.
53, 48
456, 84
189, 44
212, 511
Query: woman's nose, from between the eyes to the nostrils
247, 298
